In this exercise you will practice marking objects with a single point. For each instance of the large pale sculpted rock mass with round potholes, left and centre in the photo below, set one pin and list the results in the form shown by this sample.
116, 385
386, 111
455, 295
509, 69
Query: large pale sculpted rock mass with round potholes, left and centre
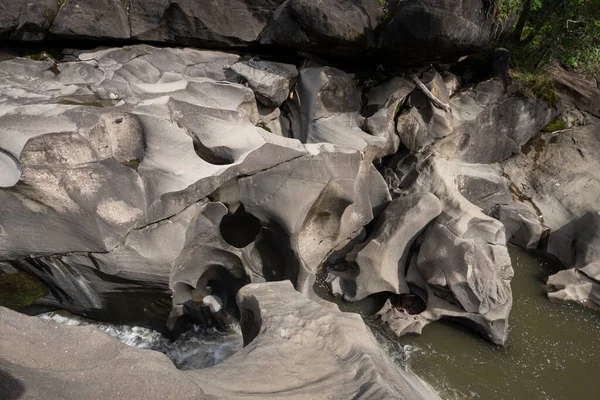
147, 171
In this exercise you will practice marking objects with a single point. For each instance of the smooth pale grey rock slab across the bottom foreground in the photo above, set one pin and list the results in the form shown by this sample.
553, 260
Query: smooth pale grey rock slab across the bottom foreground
278, 323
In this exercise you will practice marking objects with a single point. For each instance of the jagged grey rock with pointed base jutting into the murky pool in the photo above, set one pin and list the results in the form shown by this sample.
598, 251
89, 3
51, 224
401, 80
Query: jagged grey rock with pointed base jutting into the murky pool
462, 268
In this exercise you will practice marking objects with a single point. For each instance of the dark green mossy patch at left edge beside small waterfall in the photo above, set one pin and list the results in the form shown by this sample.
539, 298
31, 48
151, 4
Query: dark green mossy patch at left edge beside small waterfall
19, 290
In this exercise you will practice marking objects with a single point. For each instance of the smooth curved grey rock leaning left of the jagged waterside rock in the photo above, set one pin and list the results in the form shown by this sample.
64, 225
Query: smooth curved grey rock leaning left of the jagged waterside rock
382, 258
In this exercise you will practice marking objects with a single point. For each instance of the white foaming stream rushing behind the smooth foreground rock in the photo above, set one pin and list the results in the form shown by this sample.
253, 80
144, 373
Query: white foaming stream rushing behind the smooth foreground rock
197, 348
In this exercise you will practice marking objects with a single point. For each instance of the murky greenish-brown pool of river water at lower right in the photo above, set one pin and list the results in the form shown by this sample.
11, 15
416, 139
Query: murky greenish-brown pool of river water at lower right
553, 351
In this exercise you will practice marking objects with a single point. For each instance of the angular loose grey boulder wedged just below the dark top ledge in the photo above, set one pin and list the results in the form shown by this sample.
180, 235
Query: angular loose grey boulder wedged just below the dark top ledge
269, 80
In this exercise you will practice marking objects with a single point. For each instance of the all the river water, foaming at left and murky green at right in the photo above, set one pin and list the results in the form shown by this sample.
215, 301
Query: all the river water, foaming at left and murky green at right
553, 351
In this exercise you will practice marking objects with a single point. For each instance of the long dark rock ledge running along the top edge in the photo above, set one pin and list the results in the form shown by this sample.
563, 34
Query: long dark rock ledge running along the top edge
408, 32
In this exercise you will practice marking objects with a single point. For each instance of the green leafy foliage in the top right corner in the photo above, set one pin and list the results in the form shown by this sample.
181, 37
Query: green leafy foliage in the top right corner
567, 31
